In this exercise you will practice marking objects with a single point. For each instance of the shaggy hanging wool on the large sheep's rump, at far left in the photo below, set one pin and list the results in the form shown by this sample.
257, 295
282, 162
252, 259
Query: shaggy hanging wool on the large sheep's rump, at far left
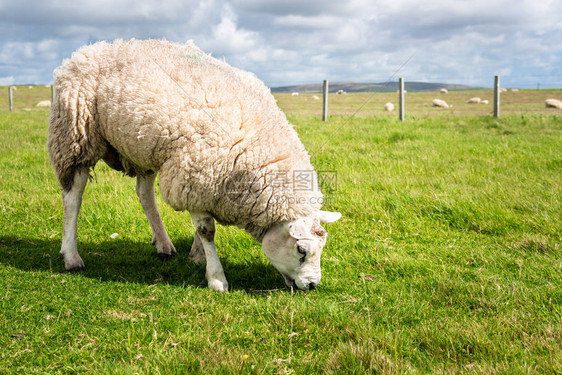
74, 140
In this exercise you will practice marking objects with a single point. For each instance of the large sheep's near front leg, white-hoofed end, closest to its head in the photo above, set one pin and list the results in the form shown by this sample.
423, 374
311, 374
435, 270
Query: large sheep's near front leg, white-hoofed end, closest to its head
205, 226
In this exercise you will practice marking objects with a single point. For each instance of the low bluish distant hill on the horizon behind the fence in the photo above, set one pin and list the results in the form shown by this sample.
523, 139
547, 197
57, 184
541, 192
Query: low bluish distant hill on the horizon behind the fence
371, 87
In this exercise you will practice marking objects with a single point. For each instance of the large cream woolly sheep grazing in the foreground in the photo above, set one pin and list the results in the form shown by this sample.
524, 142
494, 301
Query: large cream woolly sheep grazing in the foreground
223, 149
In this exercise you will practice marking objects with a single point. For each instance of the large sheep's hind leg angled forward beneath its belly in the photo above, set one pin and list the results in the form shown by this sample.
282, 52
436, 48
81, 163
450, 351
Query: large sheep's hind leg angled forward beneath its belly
145, 192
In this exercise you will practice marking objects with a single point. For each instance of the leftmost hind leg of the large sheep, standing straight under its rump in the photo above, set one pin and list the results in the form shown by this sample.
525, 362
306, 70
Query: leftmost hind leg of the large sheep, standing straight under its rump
72, 200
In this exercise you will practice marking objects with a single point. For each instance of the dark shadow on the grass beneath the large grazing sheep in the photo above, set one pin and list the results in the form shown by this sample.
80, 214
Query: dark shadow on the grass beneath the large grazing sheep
135, 262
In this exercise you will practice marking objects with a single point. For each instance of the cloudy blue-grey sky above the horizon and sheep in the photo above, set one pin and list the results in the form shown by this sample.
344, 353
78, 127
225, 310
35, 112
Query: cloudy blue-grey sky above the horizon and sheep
287, 42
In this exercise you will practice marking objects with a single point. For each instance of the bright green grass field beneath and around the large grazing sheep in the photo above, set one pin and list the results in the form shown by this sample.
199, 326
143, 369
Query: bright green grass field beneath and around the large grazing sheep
448, 258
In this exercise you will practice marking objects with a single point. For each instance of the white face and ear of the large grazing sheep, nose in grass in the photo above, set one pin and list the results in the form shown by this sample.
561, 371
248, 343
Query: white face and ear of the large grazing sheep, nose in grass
294, 248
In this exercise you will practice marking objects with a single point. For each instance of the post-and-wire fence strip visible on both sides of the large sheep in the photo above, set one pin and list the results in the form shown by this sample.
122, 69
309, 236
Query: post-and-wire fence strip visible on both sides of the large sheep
371, 100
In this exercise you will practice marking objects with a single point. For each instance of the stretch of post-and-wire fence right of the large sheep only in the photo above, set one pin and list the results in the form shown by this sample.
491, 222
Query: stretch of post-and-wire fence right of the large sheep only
452, 100
